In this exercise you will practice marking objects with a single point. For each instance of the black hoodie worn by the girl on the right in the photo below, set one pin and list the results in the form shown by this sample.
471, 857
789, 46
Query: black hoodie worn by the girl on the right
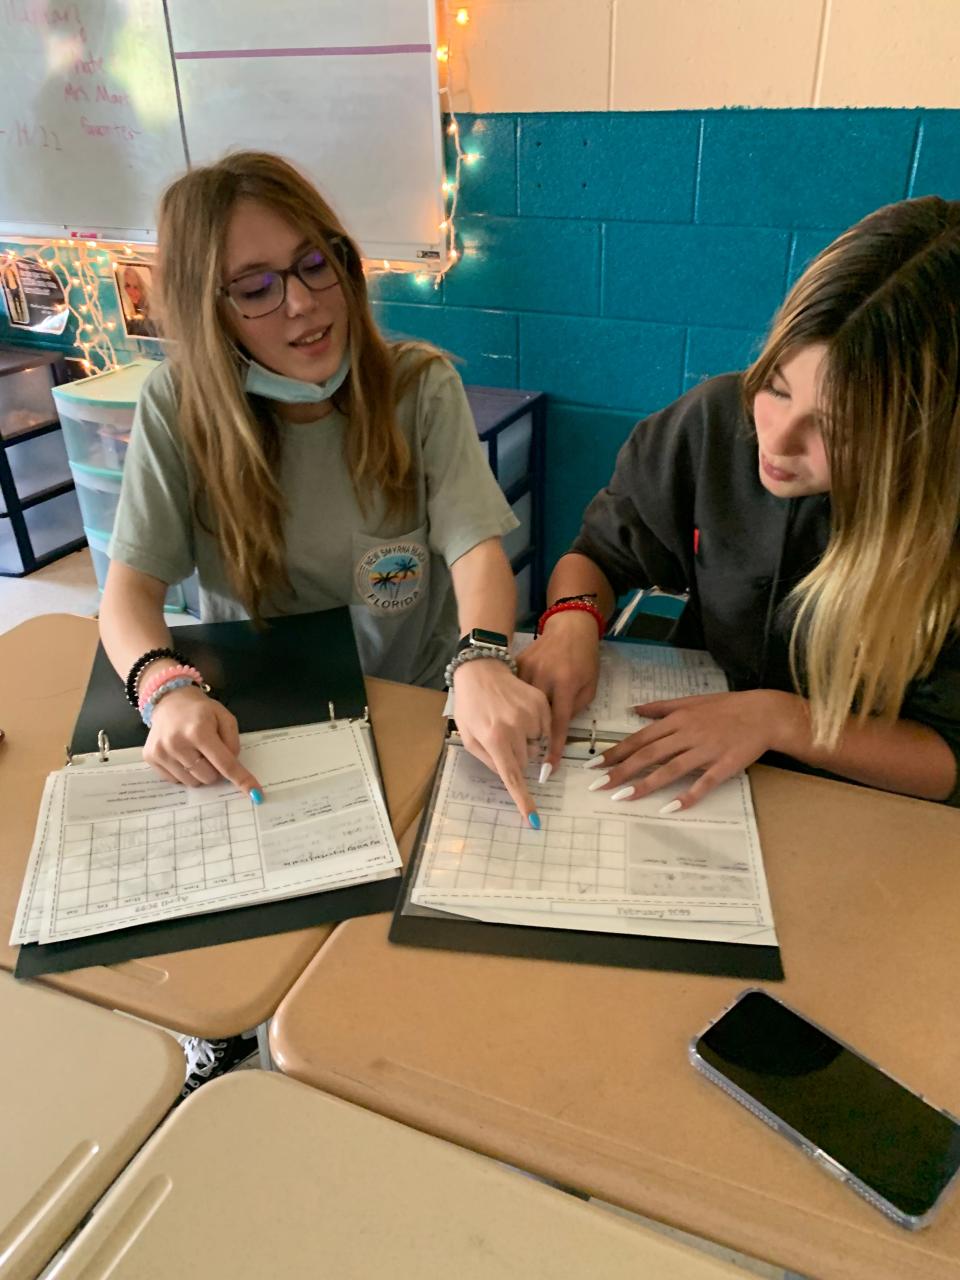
685, 511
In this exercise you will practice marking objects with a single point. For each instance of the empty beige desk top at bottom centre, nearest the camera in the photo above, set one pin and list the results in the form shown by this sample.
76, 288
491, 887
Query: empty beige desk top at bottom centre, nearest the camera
258, 1176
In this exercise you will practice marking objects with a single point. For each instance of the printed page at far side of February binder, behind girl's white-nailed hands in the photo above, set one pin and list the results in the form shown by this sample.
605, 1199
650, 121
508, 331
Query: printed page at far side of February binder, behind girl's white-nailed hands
636, 674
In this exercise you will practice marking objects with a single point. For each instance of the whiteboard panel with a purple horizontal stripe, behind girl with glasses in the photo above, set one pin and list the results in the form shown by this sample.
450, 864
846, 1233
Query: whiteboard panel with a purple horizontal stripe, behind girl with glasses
349, 92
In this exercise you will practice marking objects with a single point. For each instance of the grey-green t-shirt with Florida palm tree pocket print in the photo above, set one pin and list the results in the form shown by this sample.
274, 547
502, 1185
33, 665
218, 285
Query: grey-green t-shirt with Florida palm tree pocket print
394, 574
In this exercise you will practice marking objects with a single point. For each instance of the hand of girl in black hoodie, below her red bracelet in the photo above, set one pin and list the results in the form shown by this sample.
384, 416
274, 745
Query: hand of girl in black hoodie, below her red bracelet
565, 665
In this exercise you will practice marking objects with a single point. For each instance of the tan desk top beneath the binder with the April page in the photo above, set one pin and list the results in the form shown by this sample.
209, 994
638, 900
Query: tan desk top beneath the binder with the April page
217, 991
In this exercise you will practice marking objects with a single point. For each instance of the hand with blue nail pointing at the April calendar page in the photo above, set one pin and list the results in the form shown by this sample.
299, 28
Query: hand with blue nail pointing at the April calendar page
195, 740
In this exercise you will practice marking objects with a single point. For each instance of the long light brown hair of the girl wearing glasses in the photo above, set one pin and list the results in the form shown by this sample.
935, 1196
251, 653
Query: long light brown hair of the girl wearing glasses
232, 441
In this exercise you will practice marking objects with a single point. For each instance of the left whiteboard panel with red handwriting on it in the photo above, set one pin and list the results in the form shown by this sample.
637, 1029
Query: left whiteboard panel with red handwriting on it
90, 132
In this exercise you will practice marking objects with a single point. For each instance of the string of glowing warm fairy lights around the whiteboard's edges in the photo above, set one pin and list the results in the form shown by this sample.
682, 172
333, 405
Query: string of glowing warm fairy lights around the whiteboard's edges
79, 266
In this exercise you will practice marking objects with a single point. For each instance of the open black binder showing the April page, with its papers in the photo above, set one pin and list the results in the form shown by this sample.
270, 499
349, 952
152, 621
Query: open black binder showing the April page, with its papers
127, 866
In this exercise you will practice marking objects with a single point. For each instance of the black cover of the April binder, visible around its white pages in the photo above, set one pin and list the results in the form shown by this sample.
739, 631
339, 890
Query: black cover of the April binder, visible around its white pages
299, 671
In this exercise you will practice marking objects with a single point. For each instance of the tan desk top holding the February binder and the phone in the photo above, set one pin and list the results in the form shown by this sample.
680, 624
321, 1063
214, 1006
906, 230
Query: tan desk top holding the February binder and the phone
580, 1073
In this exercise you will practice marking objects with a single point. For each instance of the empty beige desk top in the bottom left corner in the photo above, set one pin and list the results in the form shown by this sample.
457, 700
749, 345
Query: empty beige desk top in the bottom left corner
80, 1091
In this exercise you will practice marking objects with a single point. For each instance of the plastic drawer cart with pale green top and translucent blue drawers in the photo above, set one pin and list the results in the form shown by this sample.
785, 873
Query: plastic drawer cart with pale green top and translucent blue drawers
98, 415
